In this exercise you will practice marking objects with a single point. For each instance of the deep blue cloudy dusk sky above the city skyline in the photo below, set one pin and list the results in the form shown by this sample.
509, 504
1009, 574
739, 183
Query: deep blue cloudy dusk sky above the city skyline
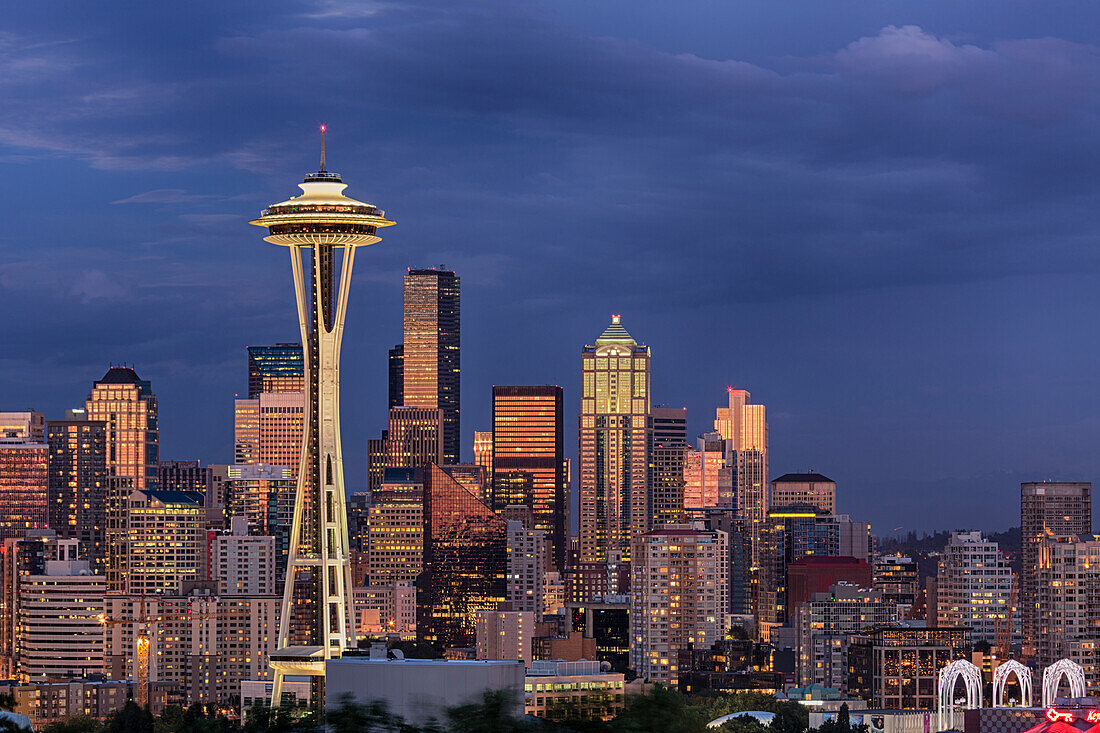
878, 217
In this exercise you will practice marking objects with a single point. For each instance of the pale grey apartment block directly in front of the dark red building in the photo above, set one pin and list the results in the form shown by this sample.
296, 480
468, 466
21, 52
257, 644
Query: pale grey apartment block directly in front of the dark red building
827, 622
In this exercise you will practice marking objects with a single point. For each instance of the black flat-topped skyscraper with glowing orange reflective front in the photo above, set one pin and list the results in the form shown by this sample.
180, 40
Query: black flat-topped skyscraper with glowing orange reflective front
529, 436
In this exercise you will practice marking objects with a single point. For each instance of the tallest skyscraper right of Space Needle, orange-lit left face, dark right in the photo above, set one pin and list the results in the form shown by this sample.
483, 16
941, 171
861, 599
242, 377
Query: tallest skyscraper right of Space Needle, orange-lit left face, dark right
431, 364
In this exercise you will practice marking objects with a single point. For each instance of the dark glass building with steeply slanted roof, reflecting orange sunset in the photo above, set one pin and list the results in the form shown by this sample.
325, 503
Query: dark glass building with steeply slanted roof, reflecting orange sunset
466, 562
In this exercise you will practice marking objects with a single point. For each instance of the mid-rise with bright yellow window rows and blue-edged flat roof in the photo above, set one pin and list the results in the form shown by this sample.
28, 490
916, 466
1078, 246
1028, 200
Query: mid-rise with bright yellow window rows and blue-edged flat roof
166, 542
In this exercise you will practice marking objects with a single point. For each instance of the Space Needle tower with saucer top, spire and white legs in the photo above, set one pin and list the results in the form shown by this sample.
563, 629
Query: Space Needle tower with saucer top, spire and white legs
322, 228
